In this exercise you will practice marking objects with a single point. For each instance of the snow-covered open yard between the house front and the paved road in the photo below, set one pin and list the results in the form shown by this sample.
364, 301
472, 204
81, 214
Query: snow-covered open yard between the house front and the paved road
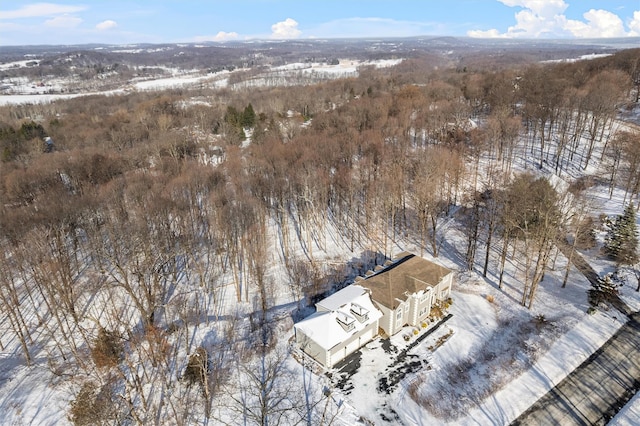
475, 322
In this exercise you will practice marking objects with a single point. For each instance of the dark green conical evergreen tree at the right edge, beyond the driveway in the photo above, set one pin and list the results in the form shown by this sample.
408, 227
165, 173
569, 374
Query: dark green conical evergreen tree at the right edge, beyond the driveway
621, 243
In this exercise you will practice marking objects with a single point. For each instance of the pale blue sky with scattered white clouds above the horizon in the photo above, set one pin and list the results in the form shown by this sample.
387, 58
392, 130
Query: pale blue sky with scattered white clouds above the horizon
164, 21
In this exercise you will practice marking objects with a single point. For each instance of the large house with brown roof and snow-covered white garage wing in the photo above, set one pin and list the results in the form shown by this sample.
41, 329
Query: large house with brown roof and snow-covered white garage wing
401, 293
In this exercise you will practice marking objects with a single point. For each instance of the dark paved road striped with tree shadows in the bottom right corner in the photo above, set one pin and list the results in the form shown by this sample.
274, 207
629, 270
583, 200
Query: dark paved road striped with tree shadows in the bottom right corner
598, 388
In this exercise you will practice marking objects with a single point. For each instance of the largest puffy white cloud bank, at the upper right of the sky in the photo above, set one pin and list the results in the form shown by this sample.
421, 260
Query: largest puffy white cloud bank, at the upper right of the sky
546, 18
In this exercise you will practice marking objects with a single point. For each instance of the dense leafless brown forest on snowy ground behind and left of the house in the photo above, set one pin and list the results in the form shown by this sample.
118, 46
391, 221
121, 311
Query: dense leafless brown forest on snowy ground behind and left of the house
147, 218
